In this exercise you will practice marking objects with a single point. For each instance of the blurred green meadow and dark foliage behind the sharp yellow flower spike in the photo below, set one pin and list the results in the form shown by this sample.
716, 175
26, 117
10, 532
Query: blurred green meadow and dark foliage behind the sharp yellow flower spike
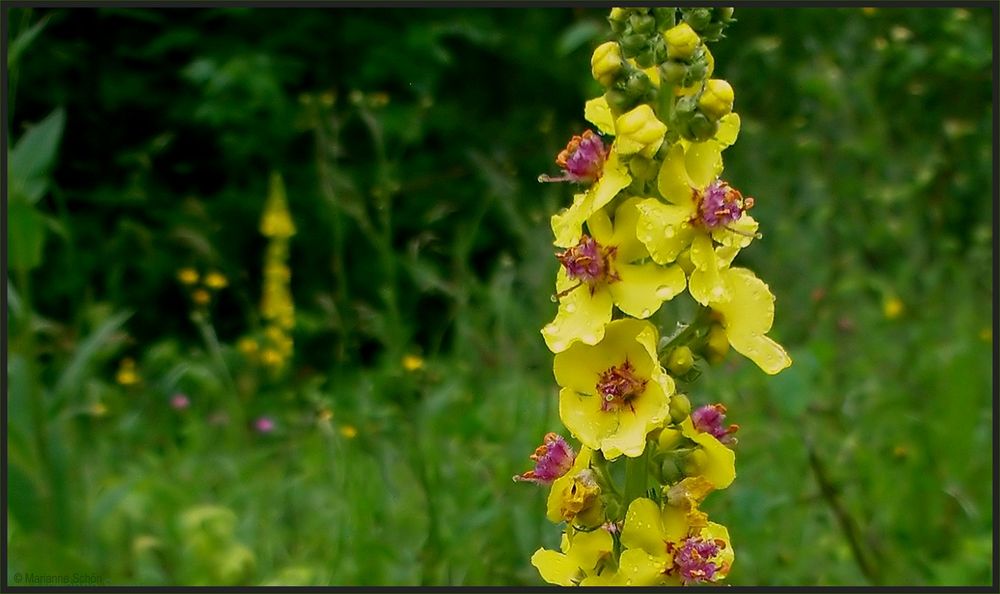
141, 142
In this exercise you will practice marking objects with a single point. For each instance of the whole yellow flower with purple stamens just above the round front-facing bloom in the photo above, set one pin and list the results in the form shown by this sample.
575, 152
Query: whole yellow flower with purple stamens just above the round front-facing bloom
609, 267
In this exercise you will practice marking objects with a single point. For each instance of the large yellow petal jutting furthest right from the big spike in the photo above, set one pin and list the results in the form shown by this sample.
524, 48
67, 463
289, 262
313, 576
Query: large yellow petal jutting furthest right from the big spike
747, 316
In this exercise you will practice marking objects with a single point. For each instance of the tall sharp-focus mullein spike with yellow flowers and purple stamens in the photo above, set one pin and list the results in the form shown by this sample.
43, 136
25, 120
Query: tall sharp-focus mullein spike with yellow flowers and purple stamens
654, 218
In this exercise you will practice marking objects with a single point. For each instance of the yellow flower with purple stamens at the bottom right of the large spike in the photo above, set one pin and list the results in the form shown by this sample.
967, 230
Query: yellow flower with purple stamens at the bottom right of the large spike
679, 540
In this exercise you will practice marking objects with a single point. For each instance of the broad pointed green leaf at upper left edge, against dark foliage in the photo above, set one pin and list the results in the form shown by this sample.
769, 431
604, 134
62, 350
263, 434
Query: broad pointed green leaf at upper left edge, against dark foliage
32, 157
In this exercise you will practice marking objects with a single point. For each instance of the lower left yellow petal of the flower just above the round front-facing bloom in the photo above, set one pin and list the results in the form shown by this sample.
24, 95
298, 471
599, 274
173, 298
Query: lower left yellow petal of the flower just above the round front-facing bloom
582, 315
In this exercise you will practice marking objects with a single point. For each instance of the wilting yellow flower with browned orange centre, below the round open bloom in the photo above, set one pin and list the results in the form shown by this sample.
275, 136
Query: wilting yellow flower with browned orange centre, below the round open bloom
575, 496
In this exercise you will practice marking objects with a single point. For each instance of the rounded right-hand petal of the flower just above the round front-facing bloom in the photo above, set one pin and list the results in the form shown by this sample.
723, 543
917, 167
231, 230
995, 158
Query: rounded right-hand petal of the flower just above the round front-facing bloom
642, 288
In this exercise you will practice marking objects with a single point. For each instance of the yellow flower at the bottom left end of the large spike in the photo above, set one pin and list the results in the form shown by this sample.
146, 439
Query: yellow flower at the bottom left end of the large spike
582, 556
